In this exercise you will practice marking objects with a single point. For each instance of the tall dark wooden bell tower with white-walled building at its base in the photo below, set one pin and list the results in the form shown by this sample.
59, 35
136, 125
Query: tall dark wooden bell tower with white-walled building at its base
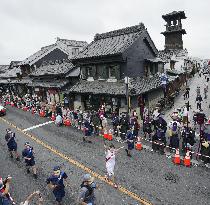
175, 57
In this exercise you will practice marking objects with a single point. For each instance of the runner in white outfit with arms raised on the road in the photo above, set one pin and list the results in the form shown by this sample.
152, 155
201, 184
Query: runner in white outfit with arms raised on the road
110, 162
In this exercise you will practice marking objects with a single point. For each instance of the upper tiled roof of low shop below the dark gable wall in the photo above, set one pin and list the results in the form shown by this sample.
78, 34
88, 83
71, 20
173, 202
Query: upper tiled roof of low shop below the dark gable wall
53, 68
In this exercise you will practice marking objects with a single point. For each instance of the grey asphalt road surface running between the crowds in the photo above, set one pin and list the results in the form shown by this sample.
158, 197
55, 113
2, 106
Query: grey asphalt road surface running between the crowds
148, 174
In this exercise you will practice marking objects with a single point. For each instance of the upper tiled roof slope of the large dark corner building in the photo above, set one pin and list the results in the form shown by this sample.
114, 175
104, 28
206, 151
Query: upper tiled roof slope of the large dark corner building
111, 43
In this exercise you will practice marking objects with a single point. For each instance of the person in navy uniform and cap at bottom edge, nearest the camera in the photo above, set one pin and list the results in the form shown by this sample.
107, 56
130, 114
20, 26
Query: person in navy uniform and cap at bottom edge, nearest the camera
56, 183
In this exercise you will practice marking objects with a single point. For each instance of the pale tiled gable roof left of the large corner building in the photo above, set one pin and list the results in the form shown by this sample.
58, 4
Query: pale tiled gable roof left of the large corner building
62, 44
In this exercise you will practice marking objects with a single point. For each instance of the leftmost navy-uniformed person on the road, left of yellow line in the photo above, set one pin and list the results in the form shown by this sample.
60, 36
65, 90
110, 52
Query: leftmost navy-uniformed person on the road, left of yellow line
11, 144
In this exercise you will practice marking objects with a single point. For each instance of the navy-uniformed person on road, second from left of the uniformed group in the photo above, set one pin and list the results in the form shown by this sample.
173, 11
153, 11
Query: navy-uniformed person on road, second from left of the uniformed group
28, 155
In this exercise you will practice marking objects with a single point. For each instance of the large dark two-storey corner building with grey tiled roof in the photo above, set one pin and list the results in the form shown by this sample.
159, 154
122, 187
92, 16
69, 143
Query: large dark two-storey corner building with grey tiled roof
112, 56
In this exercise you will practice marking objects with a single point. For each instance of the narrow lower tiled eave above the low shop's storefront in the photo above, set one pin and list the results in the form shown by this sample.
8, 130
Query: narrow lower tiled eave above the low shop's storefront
48, 84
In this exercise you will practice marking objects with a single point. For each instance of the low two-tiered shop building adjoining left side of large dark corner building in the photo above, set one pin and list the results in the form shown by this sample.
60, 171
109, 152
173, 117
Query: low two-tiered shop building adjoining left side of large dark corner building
50, 80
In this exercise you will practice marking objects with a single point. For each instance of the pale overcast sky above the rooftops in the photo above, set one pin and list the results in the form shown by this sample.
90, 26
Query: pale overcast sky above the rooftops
27, 25
